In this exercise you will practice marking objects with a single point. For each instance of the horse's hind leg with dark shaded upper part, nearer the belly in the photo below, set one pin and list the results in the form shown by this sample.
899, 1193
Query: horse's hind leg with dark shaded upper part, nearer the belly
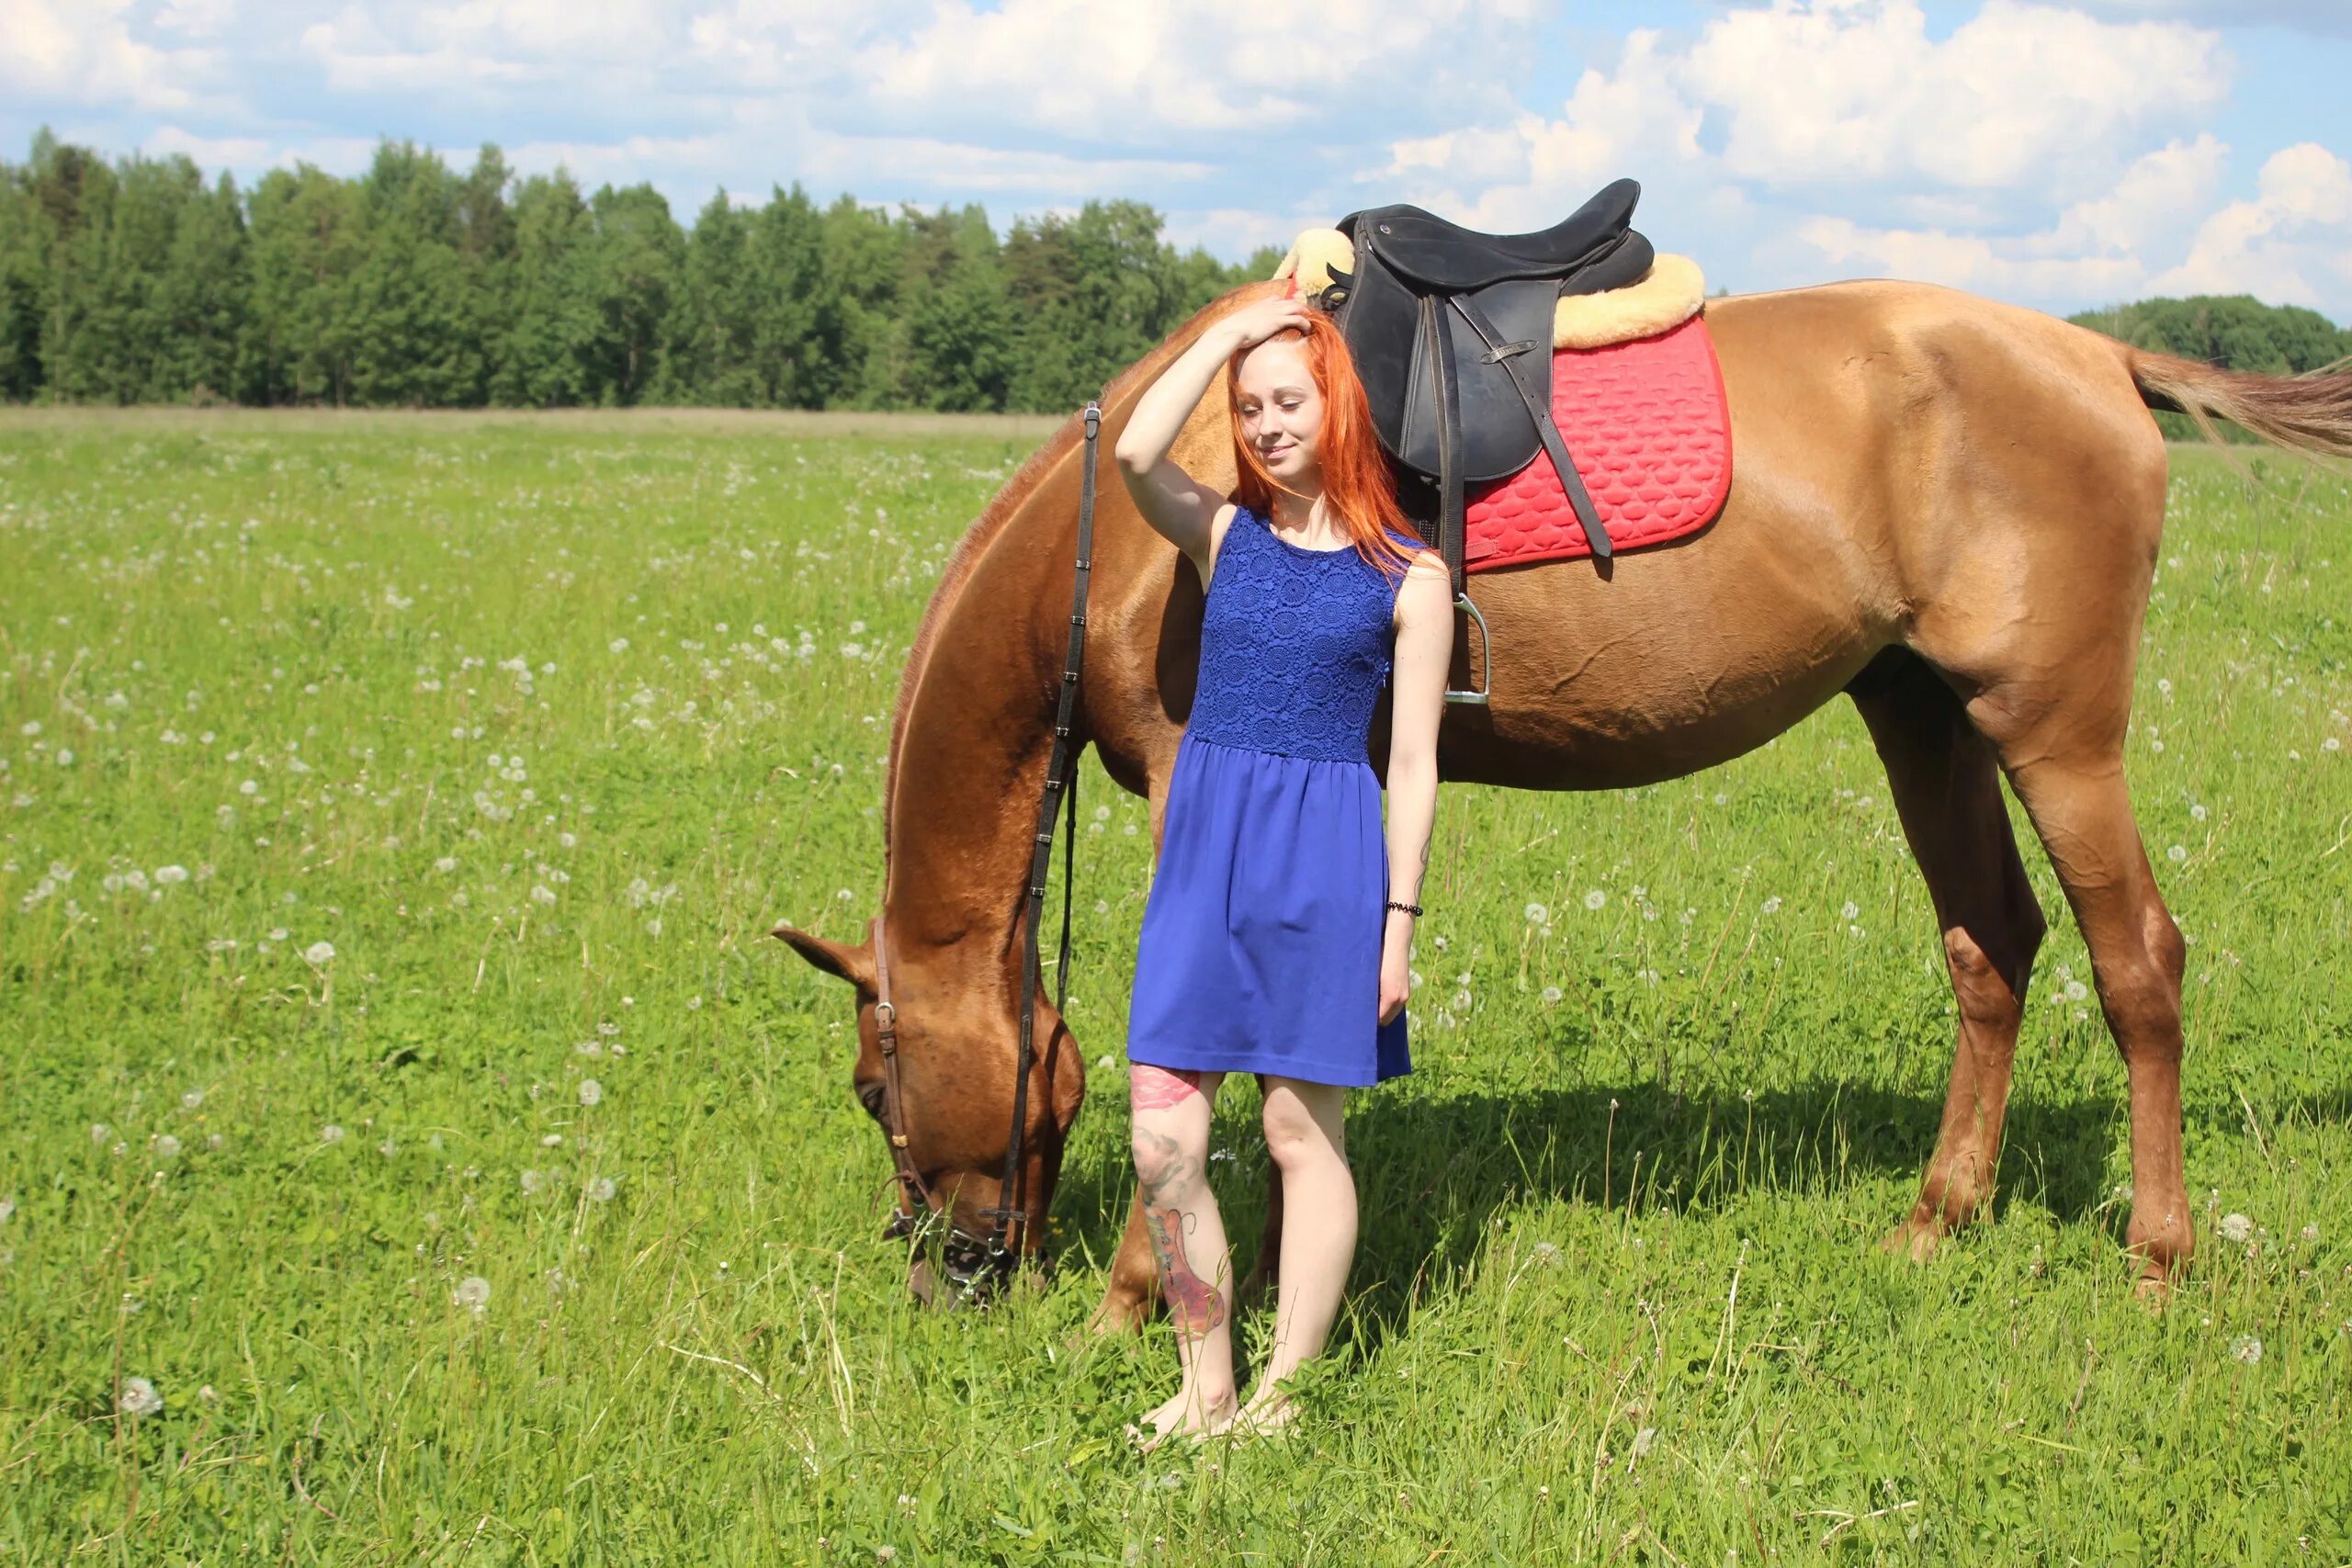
1949, 793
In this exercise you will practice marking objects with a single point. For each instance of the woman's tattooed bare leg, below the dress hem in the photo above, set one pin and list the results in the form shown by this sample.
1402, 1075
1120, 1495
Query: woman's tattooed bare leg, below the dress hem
1189, 1242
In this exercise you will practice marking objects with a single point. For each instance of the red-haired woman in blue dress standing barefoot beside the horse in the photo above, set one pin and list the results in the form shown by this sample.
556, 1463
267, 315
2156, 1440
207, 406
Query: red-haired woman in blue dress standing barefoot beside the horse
1267, 946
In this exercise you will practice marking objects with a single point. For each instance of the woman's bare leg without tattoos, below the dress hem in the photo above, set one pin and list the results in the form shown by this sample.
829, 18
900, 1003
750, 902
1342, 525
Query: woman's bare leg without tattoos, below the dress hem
1318, 1231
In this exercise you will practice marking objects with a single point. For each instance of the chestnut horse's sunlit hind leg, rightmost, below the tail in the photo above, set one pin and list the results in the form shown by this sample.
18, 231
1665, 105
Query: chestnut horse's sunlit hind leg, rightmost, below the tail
2083, 815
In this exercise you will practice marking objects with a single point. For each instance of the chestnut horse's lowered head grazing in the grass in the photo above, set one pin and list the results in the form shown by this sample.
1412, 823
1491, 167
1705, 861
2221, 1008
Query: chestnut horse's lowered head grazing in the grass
956, 1040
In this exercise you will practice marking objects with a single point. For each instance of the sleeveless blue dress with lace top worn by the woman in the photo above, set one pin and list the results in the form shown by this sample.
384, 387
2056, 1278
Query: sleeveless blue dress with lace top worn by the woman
1262, 932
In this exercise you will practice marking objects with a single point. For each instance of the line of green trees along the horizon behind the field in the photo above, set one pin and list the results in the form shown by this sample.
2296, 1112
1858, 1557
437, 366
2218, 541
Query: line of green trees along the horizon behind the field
420, 286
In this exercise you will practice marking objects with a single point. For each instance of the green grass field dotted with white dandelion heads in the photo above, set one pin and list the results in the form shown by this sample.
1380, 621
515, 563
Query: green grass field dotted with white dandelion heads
413, 1151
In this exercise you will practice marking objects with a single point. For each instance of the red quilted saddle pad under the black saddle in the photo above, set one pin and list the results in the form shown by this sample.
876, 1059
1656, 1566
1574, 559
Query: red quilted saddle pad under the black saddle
1652, 438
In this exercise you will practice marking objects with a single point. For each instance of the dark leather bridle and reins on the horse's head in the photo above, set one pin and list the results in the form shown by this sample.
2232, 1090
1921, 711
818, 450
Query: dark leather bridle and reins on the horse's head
968, 1259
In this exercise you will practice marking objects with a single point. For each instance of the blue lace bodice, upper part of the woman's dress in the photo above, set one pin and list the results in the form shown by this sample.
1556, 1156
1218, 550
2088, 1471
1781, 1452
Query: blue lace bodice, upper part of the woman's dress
1295, 645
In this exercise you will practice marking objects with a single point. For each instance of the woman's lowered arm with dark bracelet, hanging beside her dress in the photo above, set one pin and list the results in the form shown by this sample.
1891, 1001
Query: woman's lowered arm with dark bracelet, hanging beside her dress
1417, 704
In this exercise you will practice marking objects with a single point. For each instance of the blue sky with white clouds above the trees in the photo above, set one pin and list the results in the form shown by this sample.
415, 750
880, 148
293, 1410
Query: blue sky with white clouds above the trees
2062, 156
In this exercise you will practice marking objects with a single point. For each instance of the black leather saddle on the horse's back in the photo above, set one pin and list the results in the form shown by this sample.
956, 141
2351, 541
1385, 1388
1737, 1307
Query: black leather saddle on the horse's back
1452, 335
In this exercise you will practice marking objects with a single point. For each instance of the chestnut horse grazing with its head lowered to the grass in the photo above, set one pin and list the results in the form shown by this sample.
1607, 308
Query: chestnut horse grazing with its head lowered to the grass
1942, 507
